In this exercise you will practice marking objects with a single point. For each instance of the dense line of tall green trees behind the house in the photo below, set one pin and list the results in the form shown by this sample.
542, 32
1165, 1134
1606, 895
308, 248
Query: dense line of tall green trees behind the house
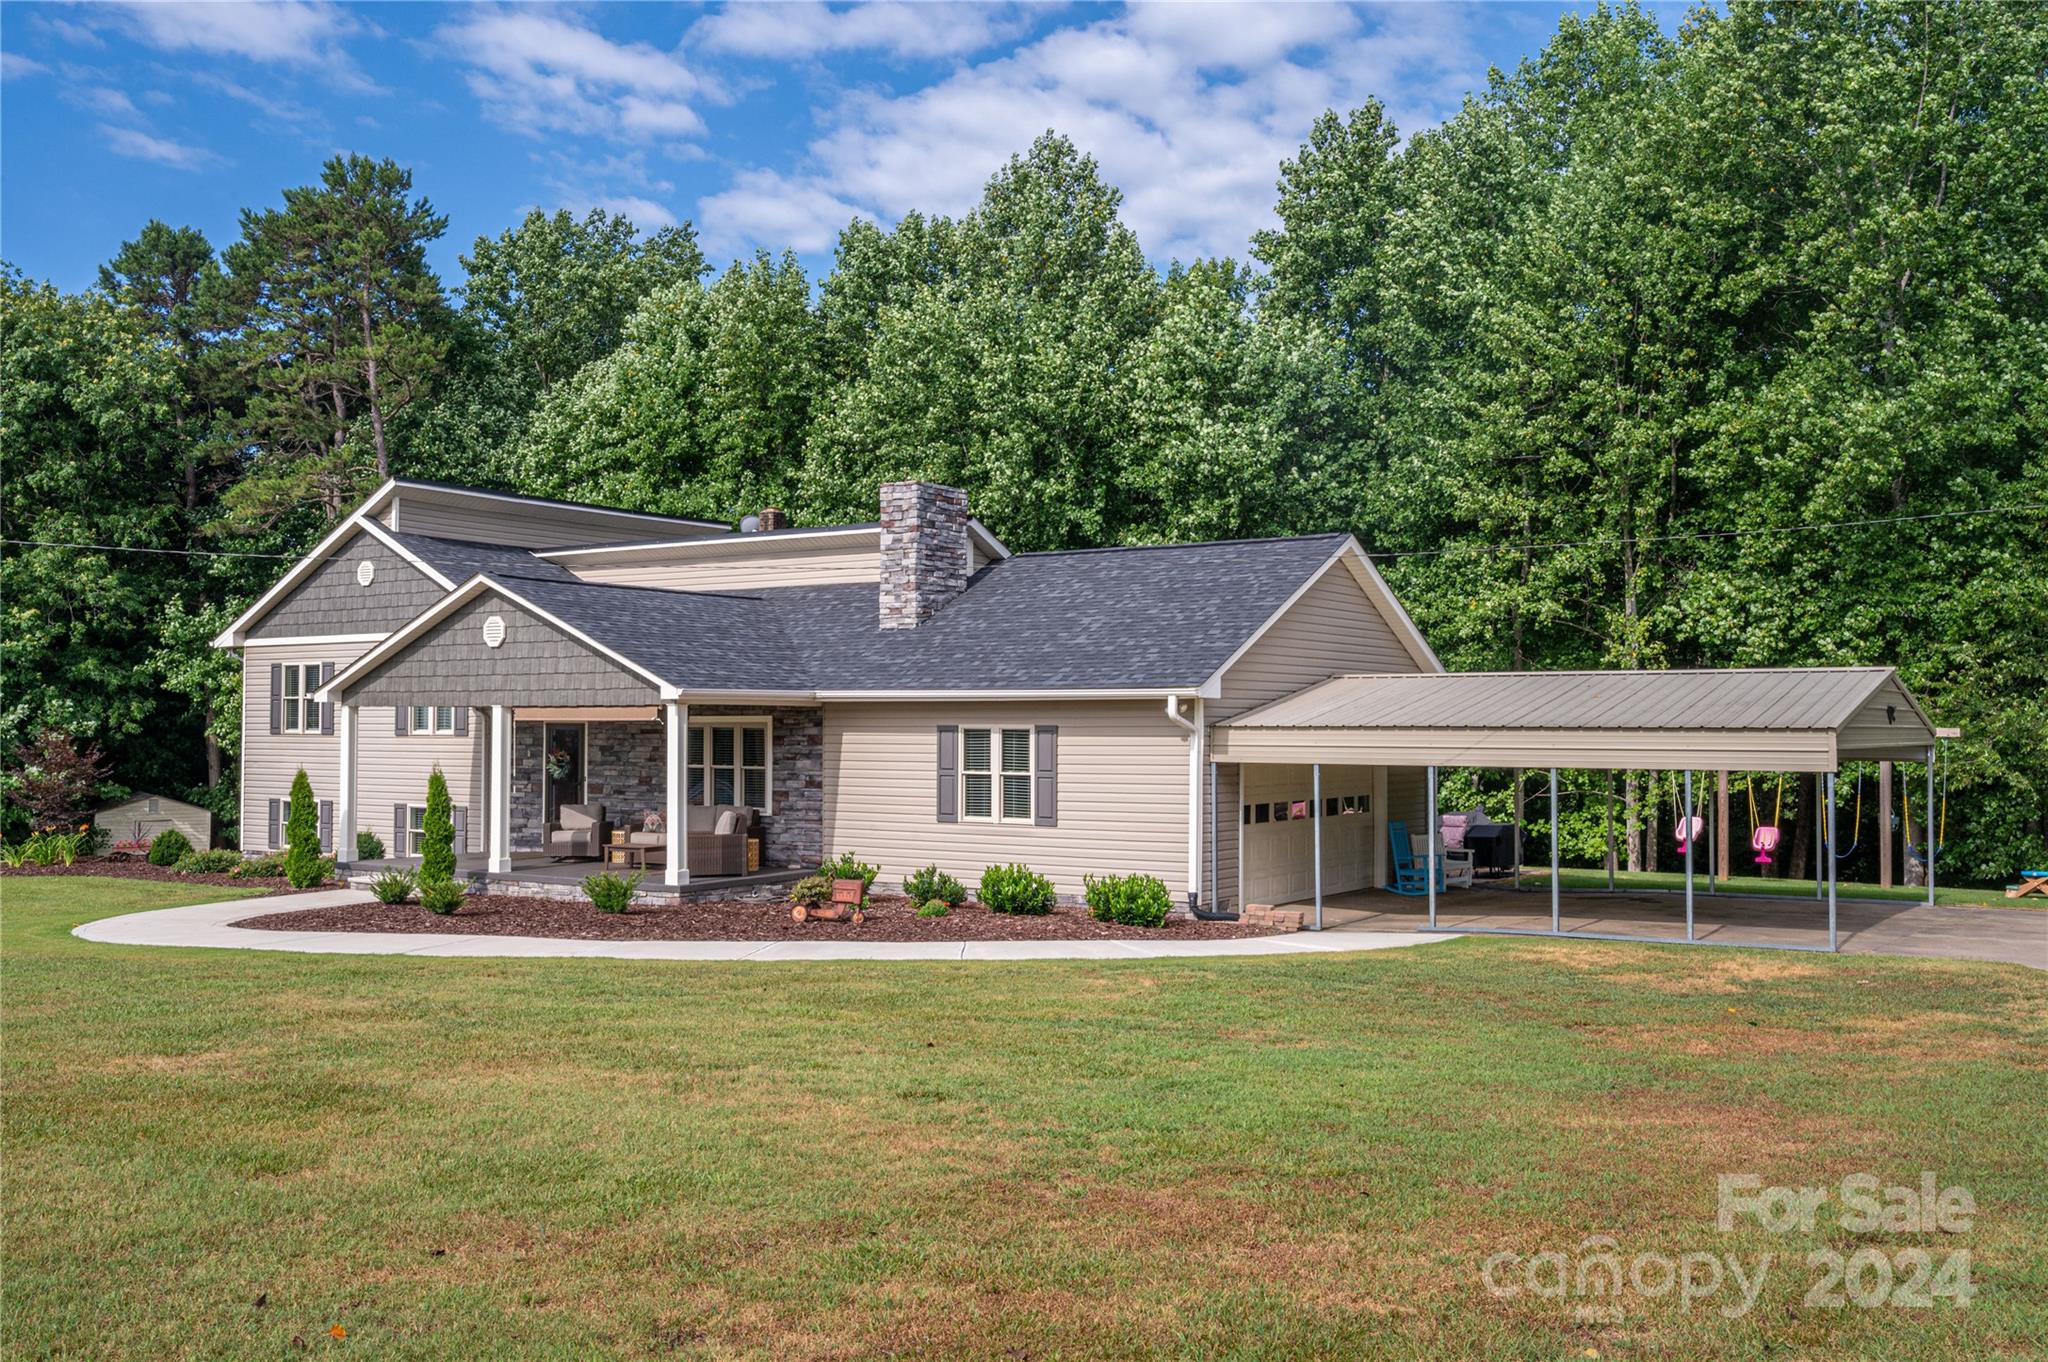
1719, 349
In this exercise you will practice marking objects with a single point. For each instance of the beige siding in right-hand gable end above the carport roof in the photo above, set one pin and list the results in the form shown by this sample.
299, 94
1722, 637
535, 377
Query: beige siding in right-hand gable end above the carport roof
1332, 630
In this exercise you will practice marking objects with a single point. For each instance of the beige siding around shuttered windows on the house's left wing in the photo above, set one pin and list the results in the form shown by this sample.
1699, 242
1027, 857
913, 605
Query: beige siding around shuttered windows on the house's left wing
388, 769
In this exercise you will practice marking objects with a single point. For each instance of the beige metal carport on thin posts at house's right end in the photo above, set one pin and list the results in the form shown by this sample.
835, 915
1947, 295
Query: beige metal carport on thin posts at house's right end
1793, 720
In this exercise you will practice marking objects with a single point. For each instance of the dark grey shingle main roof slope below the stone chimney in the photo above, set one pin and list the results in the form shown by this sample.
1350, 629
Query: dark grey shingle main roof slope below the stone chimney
1041, 622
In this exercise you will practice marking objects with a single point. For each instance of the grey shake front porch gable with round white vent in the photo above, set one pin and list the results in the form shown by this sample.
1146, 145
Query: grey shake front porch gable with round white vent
538, 665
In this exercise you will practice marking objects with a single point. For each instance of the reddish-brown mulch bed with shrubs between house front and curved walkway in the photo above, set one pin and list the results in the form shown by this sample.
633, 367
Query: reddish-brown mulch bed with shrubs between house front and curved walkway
888, 919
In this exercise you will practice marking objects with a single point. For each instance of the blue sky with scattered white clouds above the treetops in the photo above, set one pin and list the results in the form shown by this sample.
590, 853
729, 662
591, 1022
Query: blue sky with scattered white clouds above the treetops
763, 124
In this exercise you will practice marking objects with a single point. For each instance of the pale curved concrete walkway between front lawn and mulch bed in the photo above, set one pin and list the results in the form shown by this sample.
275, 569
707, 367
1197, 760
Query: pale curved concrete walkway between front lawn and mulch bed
206, 925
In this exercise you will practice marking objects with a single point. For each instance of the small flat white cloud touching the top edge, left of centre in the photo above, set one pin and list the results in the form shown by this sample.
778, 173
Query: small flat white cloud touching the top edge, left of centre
894, 28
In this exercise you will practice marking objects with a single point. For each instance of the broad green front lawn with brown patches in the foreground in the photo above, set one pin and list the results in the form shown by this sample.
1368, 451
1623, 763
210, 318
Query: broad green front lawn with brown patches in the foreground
216, 1154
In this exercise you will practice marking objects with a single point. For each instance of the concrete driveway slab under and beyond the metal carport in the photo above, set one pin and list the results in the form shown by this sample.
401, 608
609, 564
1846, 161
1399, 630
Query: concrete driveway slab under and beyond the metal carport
1867, 927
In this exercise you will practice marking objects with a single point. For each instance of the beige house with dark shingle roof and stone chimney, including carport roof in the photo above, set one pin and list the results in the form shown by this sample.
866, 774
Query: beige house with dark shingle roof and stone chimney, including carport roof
912, 691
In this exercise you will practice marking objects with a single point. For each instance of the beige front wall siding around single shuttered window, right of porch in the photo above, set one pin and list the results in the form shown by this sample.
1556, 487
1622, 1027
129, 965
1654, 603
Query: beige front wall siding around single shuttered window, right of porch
1123, 794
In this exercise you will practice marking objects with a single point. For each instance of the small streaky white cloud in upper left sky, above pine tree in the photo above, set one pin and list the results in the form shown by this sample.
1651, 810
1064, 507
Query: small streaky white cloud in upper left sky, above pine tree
540, 73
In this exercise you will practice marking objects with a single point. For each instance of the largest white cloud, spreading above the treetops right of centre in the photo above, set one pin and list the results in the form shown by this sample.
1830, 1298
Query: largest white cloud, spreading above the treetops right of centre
1189, 110
